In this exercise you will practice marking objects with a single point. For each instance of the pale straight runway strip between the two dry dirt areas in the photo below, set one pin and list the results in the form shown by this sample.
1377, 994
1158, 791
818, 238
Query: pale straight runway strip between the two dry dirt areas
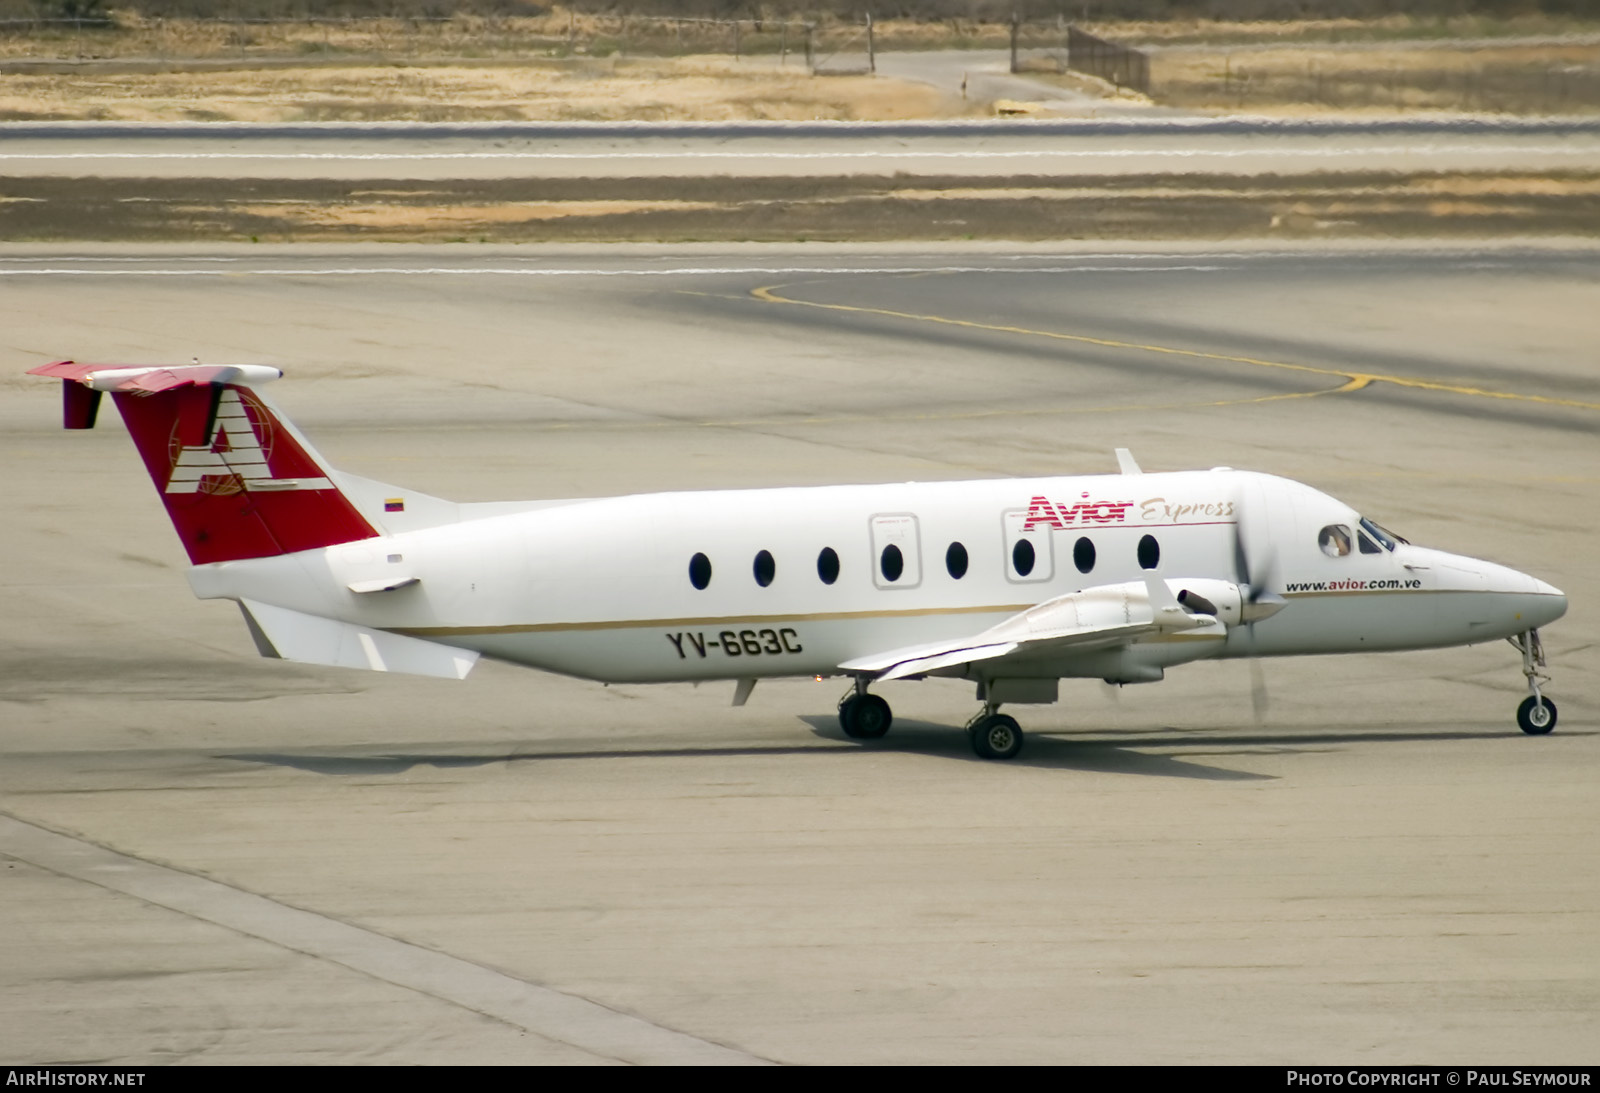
826, 150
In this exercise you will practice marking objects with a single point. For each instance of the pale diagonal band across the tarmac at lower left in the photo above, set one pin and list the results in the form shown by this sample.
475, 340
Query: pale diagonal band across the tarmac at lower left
540, 1011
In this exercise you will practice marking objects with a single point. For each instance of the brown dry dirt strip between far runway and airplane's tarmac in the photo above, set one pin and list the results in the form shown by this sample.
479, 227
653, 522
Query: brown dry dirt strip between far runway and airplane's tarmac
801, 209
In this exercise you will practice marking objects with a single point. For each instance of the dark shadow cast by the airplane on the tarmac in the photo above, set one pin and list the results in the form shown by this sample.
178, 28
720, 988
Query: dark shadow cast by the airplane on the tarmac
1122, 756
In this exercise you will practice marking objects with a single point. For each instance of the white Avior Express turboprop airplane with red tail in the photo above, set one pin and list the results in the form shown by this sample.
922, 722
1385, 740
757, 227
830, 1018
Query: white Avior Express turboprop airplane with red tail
1014, 585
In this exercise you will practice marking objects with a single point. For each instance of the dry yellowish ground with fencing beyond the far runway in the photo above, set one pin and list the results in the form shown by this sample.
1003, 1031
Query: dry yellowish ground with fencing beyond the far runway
574, 68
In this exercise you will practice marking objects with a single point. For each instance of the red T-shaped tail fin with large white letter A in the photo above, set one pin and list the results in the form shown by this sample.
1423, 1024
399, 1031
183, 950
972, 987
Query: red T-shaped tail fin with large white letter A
238, 479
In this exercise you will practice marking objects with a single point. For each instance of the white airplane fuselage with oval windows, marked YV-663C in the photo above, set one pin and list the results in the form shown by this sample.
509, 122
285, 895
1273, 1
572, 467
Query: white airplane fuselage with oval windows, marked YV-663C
799, 582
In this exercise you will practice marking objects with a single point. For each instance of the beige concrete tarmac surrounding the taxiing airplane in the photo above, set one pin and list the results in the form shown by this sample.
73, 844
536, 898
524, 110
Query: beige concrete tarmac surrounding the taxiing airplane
215, 859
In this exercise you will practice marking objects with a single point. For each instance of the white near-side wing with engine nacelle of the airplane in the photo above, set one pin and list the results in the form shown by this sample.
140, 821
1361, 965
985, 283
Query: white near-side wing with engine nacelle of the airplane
1078, 622
